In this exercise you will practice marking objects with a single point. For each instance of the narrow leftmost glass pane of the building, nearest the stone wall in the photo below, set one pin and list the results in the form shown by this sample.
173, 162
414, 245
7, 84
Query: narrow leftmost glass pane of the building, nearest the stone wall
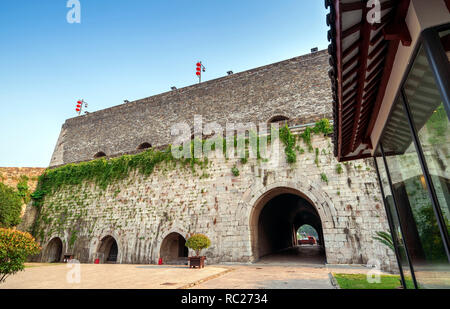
389, 202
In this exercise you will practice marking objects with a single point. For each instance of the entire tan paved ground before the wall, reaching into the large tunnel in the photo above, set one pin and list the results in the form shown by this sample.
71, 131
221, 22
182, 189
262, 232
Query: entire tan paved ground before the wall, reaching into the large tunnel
295, 268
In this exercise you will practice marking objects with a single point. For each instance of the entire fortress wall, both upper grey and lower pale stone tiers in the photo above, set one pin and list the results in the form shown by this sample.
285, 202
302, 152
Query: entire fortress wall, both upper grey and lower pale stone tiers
140, 212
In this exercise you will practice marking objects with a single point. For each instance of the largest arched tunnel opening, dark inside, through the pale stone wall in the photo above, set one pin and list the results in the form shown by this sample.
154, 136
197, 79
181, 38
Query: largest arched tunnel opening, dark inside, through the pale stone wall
275, 220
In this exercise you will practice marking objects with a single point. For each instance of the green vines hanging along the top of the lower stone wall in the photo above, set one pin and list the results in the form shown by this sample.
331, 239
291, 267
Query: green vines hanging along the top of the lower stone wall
104, 172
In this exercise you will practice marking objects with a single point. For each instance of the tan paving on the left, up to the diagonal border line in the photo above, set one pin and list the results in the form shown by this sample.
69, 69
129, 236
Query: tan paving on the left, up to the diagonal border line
110, 276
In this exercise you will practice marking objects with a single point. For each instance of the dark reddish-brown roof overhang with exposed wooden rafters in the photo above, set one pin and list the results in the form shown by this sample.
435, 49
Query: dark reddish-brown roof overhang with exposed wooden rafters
361, 59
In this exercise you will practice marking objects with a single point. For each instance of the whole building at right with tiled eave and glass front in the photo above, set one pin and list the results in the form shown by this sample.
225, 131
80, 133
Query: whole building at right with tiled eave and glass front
391, 90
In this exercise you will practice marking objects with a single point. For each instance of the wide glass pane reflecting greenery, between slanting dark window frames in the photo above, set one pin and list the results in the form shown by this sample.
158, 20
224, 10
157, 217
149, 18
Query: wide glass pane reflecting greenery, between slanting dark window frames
416, 214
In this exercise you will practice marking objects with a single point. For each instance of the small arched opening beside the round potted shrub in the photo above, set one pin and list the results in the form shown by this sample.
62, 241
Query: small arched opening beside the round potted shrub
173, 249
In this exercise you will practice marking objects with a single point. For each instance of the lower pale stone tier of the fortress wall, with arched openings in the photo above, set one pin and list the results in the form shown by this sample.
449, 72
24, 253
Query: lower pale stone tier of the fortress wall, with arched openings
139, 212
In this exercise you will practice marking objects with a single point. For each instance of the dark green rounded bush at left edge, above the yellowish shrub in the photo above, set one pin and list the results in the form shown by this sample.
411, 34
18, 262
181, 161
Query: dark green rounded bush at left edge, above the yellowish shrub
10, 206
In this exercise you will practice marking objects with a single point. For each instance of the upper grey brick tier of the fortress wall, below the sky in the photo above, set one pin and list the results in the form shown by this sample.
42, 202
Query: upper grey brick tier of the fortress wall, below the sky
294, 88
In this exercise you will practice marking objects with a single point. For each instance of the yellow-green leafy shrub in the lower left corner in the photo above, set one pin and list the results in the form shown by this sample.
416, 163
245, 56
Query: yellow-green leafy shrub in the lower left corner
15, 247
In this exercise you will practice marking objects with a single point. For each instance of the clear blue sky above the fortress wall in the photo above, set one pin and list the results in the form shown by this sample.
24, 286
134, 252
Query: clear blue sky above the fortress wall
130, 50
